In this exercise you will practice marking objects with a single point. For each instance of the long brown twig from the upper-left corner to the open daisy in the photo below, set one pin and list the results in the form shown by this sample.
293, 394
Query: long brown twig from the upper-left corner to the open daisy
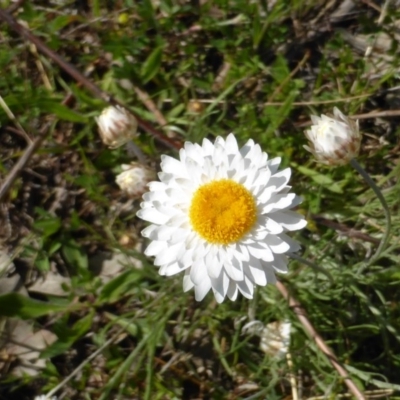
80, 78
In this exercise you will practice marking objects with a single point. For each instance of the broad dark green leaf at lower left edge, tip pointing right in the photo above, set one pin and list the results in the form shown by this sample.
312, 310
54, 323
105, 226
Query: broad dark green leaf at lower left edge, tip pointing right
16, 305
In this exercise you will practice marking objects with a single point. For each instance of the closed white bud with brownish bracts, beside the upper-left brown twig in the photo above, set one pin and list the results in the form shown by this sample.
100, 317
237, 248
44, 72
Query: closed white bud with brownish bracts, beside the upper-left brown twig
117, 126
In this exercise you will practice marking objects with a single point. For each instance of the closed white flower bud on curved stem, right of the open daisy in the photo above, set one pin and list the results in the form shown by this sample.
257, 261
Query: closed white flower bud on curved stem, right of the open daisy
333, 140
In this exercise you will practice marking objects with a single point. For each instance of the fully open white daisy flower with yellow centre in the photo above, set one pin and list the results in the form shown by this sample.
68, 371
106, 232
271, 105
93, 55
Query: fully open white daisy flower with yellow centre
220, 214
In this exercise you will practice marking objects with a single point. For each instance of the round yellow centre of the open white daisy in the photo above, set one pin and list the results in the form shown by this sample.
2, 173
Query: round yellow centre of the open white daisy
222, 211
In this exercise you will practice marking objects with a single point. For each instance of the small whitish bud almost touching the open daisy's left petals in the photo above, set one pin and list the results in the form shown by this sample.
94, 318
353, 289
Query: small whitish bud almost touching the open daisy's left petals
134, 178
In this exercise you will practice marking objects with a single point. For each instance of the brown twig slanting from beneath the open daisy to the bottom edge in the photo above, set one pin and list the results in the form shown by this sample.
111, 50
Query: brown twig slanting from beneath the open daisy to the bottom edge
309, 328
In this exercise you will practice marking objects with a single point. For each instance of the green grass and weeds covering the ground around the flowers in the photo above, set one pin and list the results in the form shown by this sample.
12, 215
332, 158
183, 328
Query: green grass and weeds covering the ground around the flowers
281, 65
